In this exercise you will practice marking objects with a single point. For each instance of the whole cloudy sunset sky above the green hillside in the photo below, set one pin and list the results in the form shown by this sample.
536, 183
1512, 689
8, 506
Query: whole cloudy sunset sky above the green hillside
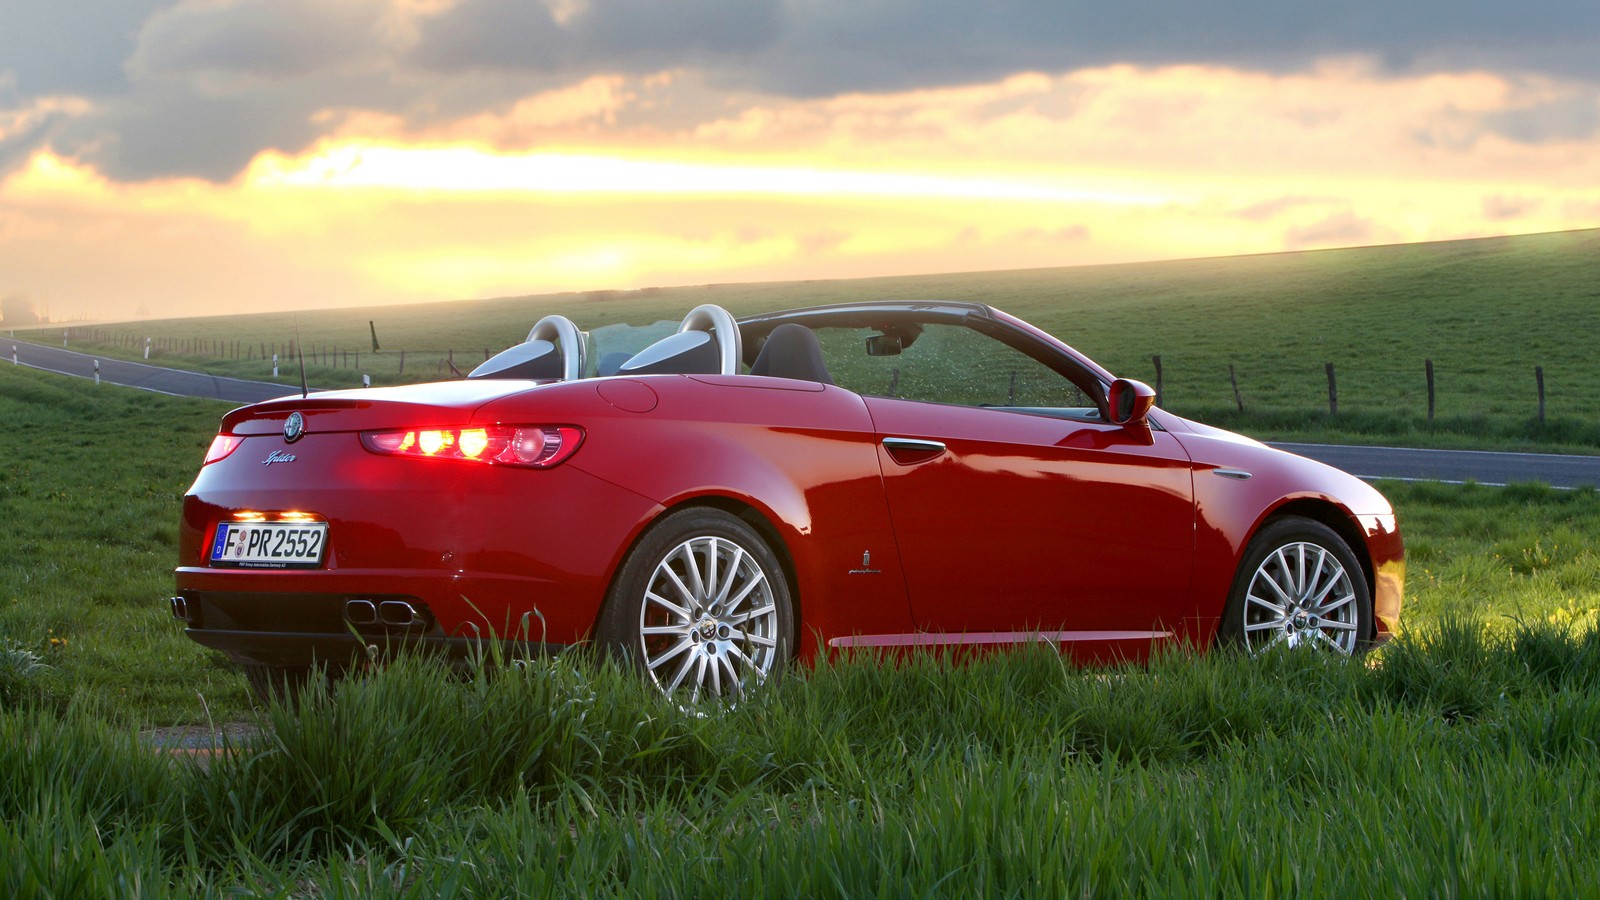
233, 156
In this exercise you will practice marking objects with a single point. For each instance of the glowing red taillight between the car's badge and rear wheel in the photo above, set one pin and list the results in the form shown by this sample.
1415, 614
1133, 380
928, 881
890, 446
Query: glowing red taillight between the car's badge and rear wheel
534, 446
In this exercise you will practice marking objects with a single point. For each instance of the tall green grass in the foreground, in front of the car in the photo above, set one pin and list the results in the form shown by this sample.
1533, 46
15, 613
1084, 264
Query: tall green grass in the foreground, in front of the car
1460, 761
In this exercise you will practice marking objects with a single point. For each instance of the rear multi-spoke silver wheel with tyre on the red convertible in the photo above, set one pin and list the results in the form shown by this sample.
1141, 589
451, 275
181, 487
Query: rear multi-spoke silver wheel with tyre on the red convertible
702, 608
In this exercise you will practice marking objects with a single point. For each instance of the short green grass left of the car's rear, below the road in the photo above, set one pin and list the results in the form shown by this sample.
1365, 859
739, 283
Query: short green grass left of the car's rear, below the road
90, 496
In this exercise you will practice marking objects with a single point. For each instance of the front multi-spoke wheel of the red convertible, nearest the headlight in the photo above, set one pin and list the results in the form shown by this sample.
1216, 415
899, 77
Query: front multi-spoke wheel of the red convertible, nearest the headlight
1300, 587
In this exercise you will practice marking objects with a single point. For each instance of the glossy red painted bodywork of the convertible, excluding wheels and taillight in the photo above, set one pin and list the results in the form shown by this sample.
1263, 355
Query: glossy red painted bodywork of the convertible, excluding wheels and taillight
1004, 528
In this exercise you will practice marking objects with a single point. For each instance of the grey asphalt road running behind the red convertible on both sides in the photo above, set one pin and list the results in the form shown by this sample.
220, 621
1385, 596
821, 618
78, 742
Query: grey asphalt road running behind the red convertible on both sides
1367, 462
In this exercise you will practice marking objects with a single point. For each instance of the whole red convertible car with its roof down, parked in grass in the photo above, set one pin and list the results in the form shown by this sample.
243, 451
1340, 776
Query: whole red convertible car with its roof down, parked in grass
745, 492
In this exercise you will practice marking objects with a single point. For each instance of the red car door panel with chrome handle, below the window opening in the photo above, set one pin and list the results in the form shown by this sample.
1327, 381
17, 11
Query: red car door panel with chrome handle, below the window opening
1017, 523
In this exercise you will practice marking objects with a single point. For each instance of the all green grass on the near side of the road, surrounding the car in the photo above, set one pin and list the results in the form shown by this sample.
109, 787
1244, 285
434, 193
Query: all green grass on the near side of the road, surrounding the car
1457, 761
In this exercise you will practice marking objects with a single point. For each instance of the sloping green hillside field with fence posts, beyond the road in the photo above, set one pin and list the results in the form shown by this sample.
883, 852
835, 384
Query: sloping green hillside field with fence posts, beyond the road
1484, 311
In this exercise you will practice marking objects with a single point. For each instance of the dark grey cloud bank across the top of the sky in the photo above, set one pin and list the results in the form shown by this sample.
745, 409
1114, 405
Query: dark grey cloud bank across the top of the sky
199, 87
